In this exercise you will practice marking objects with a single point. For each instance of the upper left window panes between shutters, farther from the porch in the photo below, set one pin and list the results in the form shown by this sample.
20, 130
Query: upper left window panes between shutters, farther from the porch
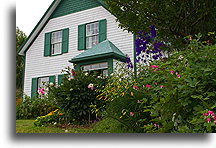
56, 42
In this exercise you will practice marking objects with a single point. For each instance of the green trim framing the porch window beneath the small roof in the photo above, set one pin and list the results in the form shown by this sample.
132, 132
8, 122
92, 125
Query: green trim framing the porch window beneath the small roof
109, 61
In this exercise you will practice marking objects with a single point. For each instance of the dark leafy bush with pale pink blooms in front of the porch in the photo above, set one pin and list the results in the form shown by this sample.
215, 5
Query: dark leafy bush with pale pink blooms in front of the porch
76, 95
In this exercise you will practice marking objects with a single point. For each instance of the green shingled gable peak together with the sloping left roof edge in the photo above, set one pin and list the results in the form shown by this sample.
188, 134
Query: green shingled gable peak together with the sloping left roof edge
58, 8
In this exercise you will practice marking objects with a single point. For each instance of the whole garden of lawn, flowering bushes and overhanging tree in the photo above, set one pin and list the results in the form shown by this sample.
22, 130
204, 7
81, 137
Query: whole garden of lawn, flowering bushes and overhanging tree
169, 88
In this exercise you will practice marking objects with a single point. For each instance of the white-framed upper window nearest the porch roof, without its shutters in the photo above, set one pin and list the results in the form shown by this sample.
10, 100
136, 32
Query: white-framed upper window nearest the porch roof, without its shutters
92, 32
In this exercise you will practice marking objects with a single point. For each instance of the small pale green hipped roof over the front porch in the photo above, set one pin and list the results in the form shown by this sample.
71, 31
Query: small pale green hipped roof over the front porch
102, 50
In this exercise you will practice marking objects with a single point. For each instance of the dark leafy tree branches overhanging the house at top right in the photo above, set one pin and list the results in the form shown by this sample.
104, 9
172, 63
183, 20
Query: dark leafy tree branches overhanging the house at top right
174, 19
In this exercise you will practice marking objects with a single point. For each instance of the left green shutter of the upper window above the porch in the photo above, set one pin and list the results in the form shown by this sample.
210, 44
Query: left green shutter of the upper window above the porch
81, 37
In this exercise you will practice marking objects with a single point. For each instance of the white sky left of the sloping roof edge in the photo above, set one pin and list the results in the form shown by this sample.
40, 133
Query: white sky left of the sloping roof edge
29, 12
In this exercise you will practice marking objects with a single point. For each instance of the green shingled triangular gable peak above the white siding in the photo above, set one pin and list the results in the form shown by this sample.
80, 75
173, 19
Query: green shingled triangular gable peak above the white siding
71, 6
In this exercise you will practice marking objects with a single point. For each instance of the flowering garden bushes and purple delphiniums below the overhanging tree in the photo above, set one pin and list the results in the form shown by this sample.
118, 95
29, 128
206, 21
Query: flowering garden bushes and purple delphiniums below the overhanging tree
169, 93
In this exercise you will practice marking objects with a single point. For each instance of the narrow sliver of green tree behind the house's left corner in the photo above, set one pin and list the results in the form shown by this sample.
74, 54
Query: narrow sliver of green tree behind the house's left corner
20, 38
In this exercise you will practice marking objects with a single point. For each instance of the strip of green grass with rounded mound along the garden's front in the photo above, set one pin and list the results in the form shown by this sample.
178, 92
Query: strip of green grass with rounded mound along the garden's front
107, 125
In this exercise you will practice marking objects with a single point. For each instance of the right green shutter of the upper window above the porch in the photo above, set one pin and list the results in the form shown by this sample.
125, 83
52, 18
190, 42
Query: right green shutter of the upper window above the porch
102, 30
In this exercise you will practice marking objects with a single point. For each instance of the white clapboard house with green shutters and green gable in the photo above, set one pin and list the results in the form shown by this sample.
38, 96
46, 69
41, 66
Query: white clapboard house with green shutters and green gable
81, 32
